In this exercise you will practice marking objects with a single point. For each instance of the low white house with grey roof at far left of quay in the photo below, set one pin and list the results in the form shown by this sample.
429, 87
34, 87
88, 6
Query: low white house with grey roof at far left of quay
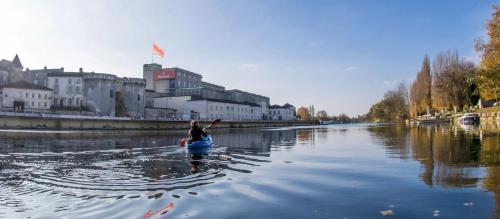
23, 96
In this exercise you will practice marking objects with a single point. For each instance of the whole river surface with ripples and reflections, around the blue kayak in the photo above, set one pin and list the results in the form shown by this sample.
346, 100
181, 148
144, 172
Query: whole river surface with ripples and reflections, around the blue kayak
339, 171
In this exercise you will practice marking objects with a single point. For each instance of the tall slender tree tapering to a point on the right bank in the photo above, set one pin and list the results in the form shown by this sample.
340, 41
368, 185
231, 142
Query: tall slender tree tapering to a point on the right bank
420, 90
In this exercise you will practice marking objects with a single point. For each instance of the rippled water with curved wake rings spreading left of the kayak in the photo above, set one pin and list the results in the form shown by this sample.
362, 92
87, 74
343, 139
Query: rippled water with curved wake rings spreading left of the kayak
92, 183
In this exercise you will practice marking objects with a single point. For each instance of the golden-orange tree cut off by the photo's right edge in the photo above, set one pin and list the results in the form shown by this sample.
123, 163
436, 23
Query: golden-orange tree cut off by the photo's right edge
489, 68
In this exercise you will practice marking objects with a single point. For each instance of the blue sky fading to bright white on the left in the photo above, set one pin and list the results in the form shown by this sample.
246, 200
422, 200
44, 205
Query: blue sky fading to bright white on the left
340, 56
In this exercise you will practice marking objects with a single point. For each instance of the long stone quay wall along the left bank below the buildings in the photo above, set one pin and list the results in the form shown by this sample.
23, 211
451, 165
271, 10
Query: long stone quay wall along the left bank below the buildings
24, 122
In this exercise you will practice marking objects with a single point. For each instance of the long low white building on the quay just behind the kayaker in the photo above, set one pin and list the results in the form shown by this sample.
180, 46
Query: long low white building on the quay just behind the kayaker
213, 109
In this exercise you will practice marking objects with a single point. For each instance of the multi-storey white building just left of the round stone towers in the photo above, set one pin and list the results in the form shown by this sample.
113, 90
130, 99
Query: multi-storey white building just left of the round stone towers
68, 89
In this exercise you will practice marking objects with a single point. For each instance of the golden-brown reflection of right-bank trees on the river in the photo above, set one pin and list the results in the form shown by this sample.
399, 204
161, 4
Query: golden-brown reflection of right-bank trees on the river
450, 156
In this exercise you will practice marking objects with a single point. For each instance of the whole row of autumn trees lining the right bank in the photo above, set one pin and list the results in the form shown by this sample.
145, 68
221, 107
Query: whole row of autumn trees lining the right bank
449, 83
